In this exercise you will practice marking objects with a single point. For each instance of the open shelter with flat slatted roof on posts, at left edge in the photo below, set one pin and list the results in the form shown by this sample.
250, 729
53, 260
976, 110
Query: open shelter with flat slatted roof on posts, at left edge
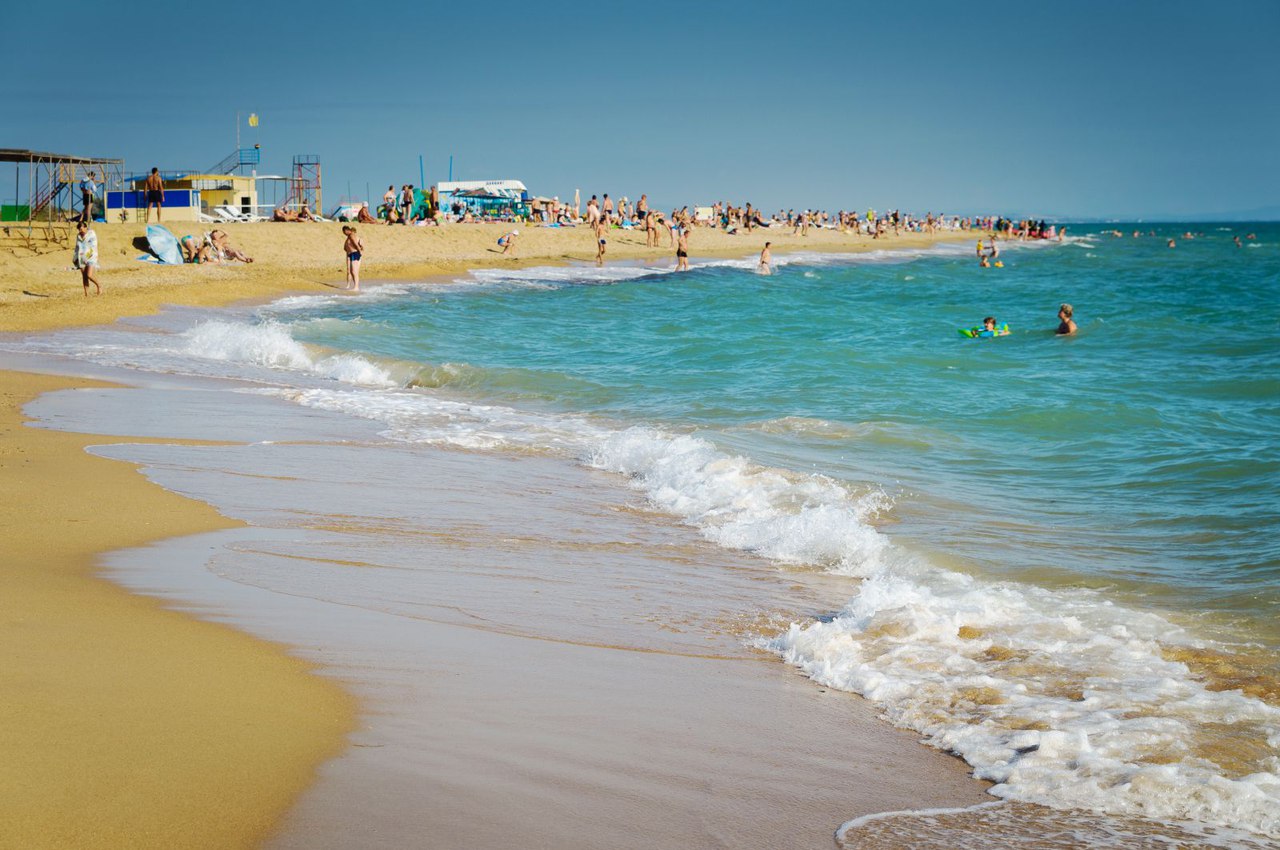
53, 198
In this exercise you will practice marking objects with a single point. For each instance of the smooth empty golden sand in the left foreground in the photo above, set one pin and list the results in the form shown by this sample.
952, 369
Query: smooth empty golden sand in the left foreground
124, 724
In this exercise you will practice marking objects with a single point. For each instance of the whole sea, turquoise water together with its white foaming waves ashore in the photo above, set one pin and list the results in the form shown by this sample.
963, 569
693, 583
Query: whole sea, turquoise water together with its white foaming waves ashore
1057, 557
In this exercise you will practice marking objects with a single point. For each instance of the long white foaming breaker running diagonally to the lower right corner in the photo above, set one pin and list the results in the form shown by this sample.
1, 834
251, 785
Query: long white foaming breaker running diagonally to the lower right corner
1060, 697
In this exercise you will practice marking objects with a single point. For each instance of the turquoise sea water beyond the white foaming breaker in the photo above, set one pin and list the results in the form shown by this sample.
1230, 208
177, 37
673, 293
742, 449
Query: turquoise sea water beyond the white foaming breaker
1140, 453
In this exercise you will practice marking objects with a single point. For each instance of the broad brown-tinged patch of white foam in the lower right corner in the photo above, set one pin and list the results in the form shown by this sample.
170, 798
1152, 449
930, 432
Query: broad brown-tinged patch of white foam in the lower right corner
1059, 697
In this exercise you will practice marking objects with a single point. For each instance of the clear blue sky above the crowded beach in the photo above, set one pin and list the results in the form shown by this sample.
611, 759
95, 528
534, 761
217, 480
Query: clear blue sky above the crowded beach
1131, 108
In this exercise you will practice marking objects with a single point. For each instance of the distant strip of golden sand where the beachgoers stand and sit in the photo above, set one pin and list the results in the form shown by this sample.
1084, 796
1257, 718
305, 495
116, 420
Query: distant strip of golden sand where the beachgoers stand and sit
40, 291
